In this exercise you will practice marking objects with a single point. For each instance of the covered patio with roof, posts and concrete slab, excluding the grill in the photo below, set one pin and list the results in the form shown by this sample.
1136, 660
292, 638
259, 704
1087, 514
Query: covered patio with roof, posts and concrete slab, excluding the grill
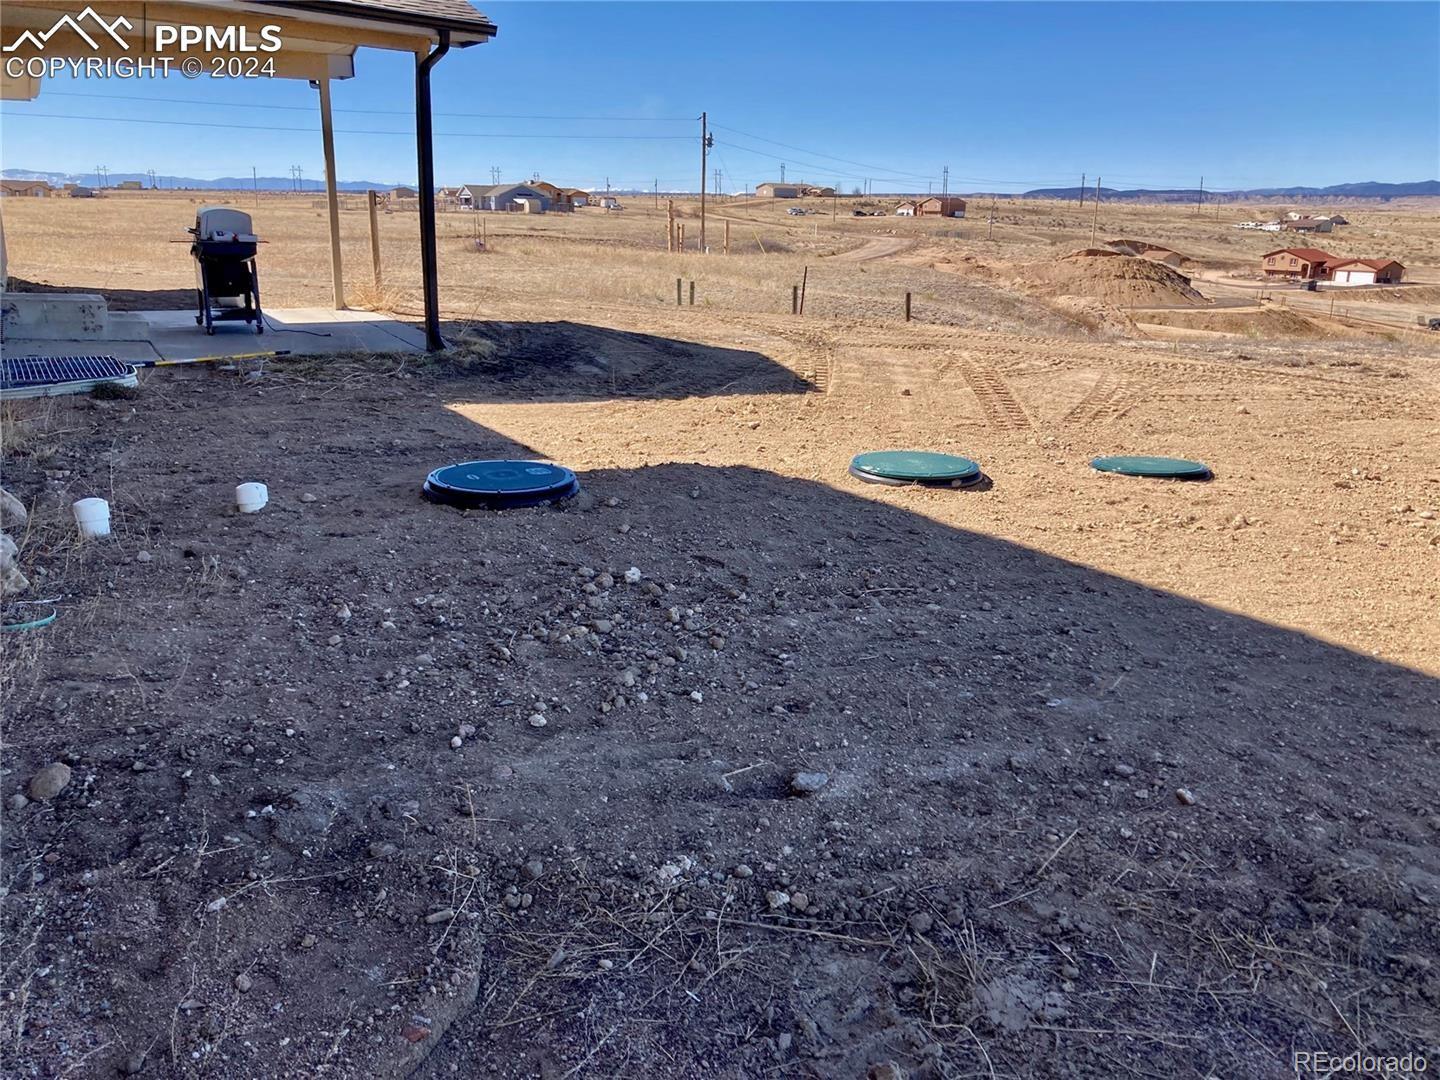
319, 44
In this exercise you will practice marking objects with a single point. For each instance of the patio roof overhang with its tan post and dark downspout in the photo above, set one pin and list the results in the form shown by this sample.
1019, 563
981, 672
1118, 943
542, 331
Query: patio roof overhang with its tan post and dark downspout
319, 41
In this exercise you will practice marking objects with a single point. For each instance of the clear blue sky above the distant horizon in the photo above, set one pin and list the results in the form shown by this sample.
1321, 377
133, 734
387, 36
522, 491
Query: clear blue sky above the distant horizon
1007, 96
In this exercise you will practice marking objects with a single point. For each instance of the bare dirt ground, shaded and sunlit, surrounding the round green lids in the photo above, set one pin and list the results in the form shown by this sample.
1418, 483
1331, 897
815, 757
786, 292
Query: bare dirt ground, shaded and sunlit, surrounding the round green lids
1120, 778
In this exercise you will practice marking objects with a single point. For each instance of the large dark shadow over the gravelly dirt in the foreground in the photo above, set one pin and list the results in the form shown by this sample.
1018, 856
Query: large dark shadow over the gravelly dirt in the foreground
1072, 826
